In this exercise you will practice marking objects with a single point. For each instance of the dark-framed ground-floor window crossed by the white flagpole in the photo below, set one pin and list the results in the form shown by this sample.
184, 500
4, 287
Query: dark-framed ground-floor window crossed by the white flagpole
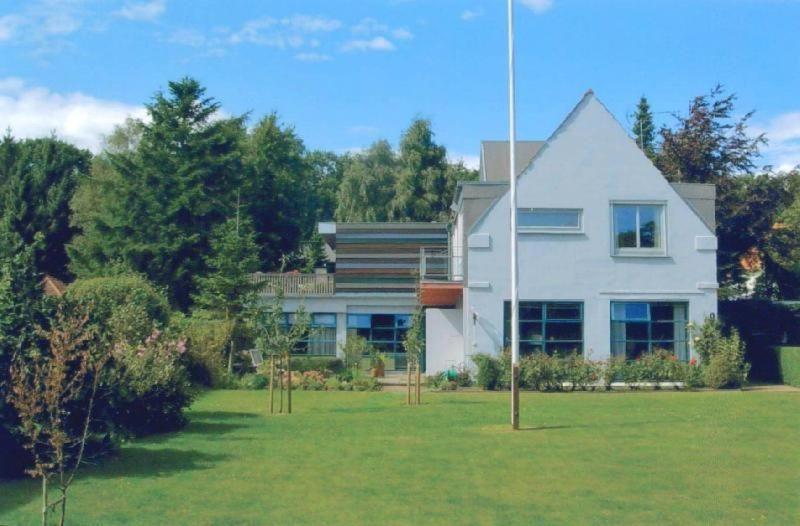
549, 327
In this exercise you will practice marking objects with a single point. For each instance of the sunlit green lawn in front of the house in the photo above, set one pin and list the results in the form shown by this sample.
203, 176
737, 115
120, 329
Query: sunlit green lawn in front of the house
365, 458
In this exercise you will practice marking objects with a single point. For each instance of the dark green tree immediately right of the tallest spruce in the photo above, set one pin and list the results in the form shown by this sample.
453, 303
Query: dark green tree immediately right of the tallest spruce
279, 189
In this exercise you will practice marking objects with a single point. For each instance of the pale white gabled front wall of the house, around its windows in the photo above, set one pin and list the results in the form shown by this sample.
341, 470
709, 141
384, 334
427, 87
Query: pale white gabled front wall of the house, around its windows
587, 164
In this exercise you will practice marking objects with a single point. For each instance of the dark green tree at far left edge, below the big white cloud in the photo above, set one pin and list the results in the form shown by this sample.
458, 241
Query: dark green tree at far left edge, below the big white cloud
38, 178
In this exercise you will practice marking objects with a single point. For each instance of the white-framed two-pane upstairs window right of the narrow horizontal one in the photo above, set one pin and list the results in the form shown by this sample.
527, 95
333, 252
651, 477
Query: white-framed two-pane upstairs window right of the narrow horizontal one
638, 229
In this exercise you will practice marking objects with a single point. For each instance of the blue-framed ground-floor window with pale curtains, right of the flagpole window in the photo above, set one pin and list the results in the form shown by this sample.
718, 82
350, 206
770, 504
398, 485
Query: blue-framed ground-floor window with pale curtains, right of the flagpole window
638, 327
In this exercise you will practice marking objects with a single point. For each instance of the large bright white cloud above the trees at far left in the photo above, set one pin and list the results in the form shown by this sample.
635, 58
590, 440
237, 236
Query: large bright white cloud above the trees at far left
32, 111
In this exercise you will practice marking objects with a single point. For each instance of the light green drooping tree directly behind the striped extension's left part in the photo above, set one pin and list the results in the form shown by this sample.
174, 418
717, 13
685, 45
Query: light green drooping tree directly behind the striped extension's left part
368, 184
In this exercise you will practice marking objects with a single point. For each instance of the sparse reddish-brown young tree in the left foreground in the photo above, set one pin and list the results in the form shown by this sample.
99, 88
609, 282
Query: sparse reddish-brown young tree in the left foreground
45, 388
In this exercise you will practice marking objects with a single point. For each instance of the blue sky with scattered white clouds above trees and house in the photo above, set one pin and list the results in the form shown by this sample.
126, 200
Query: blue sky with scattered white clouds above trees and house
346, 73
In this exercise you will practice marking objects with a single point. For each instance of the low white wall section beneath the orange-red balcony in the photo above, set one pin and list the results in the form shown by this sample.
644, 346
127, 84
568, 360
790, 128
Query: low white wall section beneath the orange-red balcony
444, 342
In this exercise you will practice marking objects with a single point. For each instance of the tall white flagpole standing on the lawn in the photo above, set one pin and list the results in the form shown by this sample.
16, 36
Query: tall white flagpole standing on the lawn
512, 143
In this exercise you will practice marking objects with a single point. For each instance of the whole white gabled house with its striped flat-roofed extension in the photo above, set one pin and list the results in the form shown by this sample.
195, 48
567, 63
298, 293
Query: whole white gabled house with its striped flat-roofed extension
613, 259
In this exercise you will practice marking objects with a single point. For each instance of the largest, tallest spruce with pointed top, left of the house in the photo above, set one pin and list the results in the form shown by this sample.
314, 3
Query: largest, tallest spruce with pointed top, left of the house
153, 208
